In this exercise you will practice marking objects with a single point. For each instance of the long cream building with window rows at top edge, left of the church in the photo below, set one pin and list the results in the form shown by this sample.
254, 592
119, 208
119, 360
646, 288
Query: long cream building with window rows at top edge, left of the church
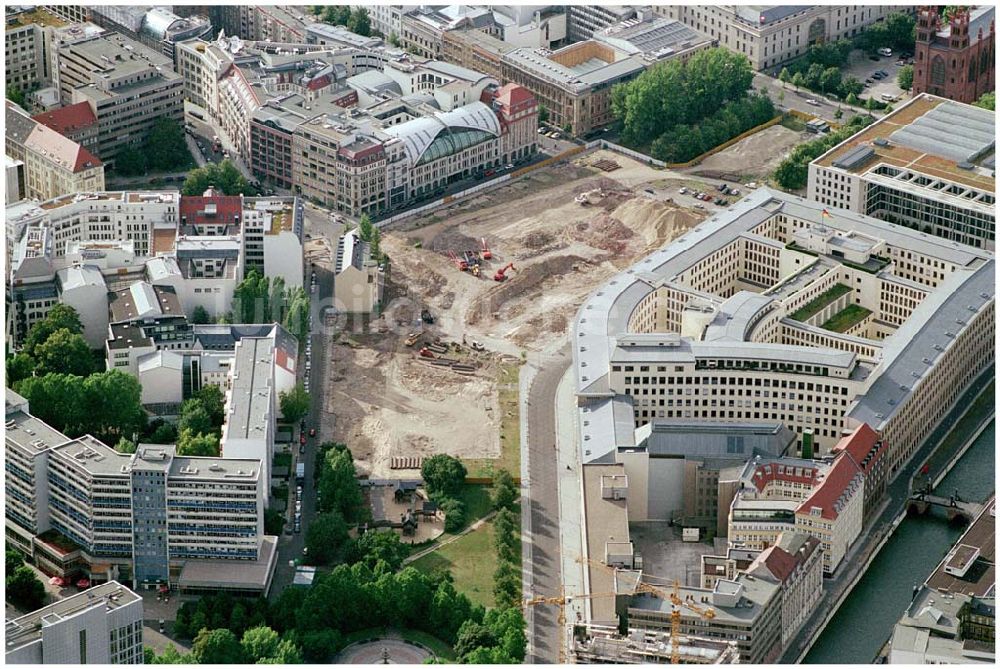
770, 35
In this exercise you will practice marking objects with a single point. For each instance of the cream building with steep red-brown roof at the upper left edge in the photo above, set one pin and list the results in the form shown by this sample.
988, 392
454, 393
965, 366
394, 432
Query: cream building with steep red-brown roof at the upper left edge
53, 164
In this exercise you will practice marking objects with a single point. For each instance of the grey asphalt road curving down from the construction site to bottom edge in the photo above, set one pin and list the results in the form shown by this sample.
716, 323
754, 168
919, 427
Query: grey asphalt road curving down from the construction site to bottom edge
541, 500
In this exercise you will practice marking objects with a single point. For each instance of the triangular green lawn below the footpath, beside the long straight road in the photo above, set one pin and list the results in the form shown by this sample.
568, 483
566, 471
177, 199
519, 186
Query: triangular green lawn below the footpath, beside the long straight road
471, 560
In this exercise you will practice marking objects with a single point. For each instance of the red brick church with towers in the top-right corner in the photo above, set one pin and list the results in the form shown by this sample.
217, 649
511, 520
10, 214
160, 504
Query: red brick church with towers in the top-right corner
956, 60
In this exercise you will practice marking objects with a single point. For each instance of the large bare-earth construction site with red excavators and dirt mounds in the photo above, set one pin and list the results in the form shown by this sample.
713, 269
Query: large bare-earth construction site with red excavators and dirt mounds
473, 288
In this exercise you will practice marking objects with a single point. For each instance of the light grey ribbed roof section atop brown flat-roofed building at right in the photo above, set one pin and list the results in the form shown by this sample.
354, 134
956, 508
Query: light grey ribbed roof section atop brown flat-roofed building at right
960, 132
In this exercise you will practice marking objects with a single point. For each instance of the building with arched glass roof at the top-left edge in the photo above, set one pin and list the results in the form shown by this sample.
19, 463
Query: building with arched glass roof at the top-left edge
157, 27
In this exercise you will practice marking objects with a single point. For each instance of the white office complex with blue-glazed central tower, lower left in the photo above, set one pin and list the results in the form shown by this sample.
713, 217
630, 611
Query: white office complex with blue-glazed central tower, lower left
145, 517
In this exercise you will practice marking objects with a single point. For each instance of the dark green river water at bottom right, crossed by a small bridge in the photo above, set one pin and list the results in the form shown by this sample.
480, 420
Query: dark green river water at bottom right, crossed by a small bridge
864, 622
